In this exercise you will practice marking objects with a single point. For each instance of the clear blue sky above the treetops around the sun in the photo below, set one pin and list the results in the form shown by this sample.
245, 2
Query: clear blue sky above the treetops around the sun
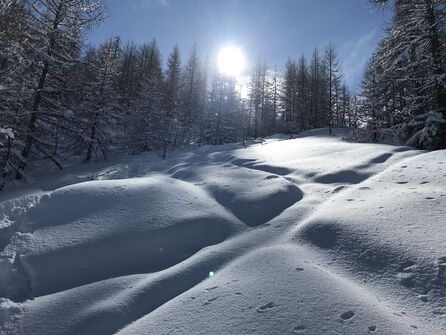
271, 29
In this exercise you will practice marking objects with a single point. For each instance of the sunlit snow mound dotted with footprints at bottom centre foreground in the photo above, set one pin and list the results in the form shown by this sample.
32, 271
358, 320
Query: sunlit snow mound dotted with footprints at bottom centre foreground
302, 297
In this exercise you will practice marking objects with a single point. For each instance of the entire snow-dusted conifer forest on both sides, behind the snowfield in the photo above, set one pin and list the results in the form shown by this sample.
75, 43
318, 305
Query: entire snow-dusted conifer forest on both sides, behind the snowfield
64, 101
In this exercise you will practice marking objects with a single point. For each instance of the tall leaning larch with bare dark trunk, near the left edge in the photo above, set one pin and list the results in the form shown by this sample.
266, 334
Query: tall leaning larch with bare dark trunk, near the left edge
55, 34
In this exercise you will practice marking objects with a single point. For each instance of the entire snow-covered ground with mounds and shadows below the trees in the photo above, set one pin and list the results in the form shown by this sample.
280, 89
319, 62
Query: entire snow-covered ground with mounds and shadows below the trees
314, 235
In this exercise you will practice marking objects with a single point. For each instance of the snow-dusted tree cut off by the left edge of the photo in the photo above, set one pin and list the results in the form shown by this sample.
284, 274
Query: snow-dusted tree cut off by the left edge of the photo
14, 79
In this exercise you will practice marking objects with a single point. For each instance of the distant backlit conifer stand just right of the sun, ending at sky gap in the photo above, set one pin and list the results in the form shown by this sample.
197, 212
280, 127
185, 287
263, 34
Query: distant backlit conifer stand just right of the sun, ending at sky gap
309, 94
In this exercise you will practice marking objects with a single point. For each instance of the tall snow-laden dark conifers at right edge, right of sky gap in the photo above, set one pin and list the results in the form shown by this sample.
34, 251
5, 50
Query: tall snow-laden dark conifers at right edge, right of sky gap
404, 93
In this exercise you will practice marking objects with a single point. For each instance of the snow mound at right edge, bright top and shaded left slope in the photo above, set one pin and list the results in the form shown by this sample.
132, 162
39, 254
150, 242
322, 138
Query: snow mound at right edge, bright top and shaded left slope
391, 231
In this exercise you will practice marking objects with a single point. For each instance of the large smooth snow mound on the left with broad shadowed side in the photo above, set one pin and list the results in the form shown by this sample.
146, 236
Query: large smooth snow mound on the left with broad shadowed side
96, 230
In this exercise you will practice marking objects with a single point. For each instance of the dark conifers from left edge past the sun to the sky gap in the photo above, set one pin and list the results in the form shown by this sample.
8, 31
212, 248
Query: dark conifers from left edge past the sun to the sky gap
62, 102
